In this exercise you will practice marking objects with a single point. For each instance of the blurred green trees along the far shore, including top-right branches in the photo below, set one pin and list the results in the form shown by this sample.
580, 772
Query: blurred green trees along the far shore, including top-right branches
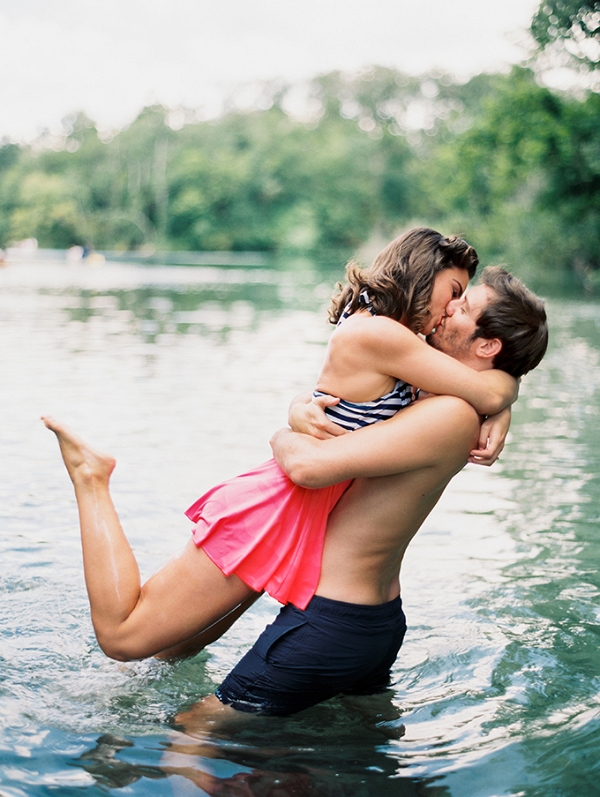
502, 159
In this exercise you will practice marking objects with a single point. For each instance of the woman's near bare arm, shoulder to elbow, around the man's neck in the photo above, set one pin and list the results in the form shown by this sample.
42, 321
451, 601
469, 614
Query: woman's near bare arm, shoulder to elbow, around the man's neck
388, 347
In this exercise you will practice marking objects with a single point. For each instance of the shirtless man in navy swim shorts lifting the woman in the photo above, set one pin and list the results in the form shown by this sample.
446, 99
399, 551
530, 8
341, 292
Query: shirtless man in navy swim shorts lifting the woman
349, 635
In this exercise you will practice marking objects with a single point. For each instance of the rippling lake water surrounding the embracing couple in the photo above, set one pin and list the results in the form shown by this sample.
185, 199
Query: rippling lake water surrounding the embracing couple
183, 374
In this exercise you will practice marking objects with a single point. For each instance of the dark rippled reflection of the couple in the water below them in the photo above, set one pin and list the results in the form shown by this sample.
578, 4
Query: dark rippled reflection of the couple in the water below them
331, 750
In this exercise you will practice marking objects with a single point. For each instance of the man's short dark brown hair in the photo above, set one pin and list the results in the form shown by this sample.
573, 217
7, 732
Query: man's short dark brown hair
517, 317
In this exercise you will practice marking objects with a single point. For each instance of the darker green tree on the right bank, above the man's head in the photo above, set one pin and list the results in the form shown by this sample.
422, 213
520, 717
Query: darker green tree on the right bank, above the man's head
523, 178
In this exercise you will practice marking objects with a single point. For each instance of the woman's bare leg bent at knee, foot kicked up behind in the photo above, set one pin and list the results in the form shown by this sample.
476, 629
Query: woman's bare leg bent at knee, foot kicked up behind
187, 596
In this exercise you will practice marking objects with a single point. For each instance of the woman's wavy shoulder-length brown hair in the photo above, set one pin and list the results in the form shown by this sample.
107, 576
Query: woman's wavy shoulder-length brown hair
399, 283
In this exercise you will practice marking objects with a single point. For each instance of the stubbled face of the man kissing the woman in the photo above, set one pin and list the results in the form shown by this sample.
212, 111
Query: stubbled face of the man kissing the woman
454, 335
